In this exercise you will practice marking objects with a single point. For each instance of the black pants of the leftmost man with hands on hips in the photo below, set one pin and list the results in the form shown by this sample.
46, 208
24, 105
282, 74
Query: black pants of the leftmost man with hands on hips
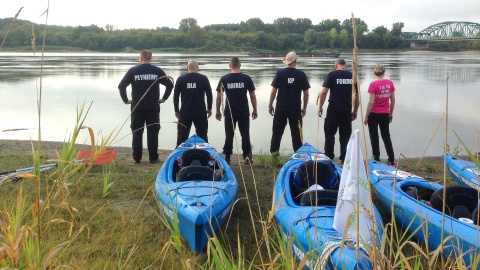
140, 118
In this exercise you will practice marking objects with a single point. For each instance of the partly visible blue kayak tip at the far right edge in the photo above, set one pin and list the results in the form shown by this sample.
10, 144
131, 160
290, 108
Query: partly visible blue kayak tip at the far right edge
464, 172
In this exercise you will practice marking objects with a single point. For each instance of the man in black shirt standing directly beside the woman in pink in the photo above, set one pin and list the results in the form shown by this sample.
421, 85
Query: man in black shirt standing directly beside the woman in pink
339, 111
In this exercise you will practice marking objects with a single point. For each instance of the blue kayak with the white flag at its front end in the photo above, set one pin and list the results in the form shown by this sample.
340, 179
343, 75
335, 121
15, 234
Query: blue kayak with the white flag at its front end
310, 225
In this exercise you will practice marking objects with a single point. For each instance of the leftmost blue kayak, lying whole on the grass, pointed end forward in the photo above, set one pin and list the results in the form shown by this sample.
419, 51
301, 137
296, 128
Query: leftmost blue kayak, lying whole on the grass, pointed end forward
196, 187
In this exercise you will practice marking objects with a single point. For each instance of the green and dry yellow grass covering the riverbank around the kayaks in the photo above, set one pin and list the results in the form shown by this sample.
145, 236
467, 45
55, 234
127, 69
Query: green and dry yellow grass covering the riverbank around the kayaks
85, 228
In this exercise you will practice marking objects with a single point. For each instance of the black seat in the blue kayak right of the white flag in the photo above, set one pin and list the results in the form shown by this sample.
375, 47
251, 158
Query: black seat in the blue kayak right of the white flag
459, 201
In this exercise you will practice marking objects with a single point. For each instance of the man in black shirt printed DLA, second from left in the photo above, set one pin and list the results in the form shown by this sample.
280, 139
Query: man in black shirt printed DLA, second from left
192, 88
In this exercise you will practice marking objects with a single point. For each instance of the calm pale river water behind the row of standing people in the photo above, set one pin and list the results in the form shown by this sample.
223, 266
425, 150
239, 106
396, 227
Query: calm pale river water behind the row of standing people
70, 79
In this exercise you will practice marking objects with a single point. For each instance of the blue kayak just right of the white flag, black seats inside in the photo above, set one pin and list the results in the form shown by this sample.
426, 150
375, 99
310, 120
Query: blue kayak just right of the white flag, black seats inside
418, 206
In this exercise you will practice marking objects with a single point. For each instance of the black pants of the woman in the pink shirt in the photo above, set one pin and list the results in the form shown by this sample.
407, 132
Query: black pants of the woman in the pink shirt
382, 121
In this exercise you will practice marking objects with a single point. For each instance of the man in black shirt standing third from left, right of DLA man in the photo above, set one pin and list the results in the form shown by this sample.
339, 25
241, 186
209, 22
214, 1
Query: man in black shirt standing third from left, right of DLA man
236, 85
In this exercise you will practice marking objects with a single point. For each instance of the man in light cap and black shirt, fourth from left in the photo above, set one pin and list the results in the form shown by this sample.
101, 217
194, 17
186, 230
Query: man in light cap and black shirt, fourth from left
290, 83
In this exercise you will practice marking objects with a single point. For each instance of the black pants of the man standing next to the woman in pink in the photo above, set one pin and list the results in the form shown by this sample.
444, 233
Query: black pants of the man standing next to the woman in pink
339, 117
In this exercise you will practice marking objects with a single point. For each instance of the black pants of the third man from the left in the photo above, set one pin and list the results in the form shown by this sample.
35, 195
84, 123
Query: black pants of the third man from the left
244, 128
